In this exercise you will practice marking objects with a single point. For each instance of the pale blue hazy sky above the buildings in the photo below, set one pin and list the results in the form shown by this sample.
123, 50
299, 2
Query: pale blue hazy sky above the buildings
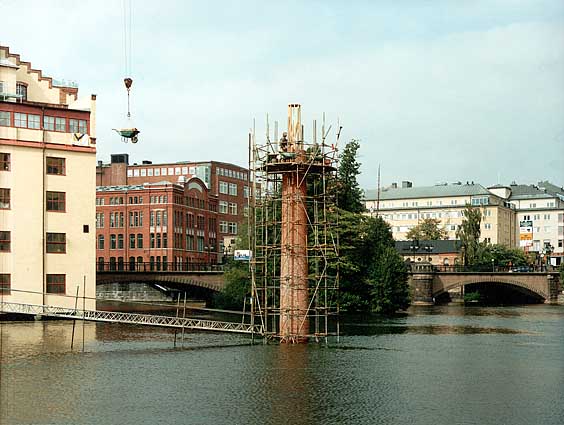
435, 91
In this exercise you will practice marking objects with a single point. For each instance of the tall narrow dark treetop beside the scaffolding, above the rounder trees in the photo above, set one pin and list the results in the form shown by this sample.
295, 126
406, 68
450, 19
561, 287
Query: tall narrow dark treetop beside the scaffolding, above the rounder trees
349, 193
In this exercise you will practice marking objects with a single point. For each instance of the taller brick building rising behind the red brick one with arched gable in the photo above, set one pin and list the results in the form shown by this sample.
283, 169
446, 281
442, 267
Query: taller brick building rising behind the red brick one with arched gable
228, 182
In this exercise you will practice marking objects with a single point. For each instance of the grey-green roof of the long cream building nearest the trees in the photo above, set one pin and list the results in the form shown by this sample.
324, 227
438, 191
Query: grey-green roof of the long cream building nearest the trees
450, 190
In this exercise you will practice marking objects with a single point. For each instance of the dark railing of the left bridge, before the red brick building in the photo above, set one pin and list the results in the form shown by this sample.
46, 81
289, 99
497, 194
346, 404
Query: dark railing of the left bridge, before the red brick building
157, 267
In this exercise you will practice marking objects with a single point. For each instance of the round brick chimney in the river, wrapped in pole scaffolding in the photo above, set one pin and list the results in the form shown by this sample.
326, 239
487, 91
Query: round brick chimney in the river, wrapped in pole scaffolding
293, 223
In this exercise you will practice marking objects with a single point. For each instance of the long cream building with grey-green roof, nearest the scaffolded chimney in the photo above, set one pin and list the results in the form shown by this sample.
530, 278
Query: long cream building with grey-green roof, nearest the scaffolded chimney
404, 207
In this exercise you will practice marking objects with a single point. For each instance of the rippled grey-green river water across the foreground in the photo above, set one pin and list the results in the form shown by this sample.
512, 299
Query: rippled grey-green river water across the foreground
436, 365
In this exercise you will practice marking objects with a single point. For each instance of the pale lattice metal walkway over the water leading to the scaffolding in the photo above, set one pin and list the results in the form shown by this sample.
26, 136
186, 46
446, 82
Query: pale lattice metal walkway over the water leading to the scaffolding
131, 318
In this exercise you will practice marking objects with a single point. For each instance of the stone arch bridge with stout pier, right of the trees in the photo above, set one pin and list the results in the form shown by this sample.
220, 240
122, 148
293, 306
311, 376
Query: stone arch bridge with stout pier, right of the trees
428, 283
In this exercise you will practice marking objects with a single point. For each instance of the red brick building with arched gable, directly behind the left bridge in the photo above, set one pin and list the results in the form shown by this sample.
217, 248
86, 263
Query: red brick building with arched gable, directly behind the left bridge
156, 226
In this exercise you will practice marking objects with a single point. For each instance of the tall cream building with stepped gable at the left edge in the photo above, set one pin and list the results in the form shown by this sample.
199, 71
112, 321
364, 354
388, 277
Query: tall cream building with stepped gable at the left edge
47, 187
